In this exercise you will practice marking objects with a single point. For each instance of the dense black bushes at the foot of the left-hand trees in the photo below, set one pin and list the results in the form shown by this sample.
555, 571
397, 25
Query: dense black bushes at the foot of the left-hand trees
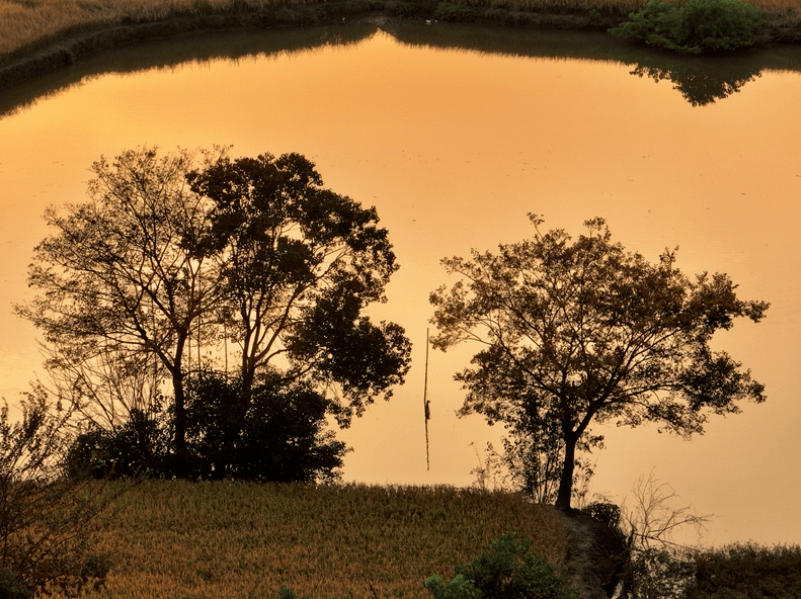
275, 432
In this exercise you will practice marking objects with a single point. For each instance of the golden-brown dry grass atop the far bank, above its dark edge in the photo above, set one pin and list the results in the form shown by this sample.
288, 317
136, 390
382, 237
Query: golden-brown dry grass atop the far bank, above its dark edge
28, 24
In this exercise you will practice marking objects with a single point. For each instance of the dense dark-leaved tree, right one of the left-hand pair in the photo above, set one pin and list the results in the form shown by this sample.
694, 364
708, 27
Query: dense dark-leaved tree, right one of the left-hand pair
298, 265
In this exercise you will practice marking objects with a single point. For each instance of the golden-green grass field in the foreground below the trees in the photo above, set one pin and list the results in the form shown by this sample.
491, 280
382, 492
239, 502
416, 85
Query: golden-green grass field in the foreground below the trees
181, 540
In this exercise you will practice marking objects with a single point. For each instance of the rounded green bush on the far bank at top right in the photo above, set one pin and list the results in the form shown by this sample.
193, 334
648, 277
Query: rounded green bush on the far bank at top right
695, 27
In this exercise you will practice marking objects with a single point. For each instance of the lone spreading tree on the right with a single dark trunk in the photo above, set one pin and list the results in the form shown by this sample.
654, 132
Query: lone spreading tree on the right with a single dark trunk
576, 332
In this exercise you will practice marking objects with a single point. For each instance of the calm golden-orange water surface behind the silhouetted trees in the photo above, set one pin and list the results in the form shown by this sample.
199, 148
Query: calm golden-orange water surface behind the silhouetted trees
455, 134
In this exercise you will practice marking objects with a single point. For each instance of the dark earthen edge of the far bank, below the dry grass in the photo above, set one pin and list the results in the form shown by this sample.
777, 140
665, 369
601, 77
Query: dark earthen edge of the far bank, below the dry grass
61, 50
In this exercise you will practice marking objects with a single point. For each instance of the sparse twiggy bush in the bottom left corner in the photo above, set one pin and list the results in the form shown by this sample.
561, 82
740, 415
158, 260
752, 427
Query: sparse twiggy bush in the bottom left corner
45, 519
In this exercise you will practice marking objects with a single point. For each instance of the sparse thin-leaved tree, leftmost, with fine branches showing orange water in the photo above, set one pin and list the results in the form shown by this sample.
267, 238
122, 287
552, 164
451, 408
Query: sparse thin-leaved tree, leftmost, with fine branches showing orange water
117, 279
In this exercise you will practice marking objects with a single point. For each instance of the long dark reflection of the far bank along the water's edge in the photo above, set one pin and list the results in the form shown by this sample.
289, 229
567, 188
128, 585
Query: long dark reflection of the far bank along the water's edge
699, 81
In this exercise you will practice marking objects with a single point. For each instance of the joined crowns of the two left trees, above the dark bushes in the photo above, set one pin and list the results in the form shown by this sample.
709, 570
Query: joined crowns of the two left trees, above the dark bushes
199, 248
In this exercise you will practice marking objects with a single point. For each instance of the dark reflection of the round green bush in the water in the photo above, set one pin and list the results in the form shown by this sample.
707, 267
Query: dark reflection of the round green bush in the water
698, 84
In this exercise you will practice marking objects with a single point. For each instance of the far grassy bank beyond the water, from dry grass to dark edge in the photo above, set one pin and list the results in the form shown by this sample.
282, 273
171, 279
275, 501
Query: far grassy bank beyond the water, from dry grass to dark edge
68, 29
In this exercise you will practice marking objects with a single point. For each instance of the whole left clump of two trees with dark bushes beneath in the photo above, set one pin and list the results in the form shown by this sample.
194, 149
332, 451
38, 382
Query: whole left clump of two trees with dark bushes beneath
177, 257
